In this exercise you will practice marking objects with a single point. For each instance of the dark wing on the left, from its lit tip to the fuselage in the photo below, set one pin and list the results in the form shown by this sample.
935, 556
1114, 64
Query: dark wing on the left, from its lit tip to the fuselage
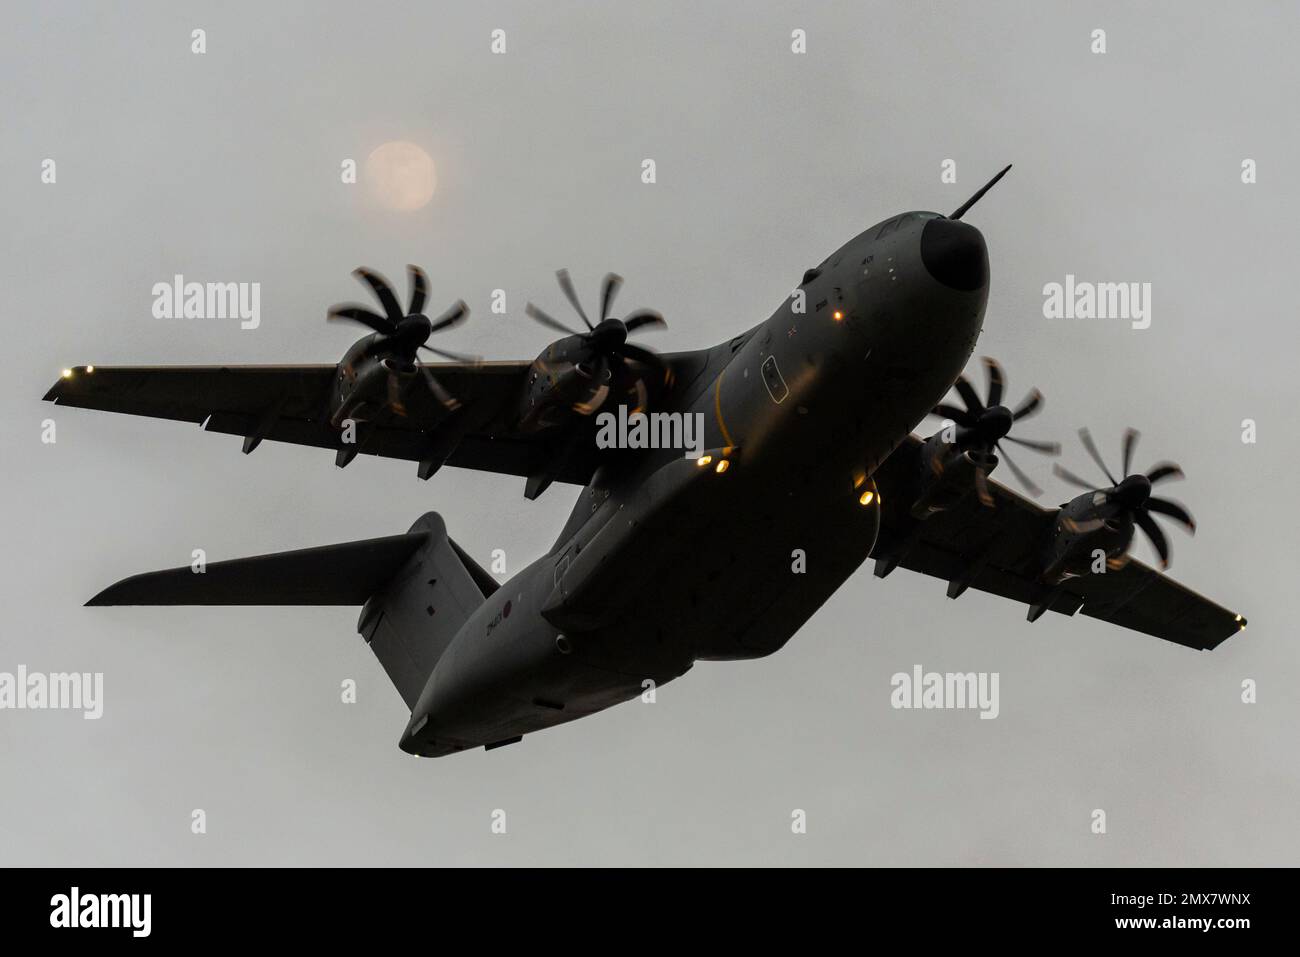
289, 404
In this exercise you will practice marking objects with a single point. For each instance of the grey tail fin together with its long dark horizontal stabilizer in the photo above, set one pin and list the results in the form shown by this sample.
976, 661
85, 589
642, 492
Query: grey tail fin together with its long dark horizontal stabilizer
418, 590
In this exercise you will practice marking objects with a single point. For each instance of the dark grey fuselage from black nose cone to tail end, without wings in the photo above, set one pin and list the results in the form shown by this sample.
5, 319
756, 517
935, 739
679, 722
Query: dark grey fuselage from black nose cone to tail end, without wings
666, 561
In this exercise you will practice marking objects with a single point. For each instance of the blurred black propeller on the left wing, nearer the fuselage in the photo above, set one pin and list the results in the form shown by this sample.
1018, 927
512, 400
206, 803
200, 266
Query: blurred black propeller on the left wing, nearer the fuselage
606, 340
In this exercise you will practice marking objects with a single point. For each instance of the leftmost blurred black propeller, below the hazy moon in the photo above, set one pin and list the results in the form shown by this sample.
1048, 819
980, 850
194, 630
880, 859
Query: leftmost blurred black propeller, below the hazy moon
405, 334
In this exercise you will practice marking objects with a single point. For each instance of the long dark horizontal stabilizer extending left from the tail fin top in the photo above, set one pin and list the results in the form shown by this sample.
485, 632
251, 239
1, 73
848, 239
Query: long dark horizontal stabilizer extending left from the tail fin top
346, 574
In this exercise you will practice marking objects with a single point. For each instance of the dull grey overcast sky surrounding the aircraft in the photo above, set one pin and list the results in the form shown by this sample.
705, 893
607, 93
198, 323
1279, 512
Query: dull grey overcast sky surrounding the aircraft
226, 167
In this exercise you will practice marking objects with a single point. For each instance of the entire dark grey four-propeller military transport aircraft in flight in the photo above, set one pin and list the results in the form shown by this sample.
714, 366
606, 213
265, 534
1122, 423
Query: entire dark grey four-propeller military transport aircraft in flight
668, 560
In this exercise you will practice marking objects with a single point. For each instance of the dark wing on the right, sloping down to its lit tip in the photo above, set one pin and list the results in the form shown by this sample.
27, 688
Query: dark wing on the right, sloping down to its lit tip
999, 551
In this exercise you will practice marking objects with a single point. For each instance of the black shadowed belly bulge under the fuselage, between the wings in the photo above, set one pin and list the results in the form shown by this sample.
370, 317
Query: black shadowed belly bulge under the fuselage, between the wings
730, 568
